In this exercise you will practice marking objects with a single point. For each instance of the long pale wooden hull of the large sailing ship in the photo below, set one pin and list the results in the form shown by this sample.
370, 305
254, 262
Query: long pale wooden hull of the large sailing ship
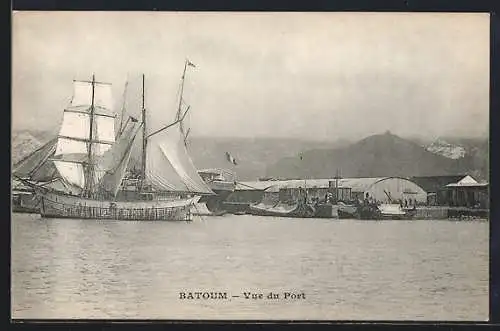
56, 205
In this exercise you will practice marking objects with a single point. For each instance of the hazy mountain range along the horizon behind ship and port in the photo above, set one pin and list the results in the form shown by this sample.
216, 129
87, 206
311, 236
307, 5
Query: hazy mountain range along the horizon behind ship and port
379, 155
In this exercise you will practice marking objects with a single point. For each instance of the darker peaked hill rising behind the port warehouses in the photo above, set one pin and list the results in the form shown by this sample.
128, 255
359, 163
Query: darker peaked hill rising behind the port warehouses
380, 155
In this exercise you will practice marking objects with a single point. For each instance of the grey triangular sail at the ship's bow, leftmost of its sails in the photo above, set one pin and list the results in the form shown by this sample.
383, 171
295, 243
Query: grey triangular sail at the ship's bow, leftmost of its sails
36, 166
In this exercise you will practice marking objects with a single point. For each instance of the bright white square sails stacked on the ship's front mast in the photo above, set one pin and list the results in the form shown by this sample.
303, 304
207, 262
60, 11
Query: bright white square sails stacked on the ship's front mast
74, 138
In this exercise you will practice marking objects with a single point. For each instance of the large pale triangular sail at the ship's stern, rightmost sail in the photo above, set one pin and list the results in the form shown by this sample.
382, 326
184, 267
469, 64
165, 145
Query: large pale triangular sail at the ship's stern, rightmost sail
169, 166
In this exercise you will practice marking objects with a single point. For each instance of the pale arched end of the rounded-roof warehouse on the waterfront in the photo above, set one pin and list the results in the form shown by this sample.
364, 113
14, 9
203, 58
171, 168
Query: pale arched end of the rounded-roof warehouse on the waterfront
399, 189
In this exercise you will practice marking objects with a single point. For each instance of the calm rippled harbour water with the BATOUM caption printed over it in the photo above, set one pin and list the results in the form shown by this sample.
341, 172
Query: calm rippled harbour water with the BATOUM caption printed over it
347, 269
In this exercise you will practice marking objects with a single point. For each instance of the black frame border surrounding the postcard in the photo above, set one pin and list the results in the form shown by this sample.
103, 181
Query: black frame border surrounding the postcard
316, 5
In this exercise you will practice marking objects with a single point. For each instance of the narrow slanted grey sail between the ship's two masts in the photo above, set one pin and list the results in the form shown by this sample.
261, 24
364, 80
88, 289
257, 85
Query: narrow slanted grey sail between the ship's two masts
114, 162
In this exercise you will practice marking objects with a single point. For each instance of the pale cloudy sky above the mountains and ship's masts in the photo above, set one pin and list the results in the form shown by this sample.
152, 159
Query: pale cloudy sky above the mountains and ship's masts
321, 76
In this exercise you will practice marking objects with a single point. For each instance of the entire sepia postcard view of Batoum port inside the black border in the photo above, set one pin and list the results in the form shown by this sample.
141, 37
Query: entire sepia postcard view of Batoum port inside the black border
250, 166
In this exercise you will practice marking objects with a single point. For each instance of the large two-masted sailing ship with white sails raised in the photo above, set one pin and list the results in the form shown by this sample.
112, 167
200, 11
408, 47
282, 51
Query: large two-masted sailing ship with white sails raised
91, 161
